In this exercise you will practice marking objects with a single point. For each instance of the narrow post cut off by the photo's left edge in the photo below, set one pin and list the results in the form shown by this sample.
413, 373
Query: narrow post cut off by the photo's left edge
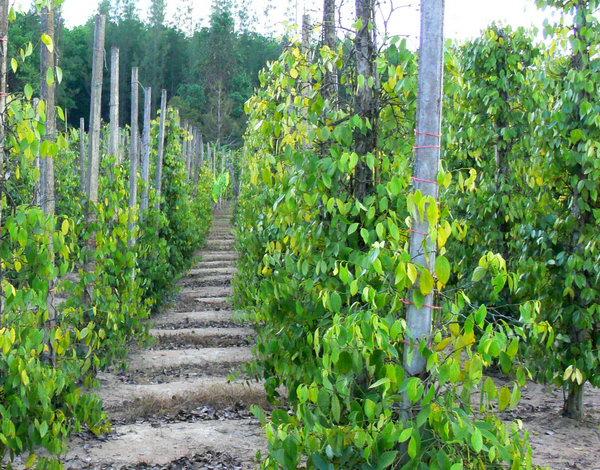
3, 74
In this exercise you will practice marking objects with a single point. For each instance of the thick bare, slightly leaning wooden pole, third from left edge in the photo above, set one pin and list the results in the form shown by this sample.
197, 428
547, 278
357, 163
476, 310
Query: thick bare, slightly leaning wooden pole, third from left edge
95, 109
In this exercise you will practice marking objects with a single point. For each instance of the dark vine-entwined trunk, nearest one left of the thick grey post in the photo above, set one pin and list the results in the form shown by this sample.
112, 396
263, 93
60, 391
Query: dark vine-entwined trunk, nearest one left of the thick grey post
365, 98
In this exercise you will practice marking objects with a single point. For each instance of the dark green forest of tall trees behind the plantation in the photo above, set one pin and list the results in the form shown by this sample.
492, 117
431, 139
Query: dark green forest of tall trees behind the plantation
209, 74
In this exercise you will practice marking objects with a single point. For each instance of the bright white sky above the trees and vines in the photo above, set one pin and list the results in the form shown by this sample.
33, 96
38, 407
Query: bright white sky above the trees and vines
464, 18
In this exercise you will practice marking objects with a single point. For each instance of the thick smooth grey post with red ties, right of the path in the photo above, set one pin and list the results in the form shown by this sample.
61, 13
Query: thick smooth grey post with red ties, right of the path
426, 167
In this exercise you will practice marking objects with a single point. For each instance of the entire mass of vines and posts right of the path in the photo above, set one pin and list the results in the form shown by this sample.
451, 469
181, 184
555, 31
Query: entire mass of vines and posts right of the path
344, 242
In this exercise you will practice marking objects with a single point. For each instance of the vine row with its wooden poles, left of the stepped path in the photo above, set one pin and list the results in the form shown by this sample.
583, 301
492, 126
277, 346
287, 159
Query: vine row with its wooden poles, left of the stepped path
83, 262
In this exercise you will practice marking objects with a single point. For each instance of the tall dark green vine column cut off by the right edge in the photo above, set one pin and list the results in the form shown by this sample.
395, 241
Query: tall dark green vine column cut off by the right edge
560, 262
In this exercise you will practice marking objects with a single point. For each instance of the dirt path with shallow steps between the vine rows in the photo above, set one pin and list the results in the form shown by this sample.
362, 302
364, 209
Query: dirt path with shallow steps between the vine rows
174, 408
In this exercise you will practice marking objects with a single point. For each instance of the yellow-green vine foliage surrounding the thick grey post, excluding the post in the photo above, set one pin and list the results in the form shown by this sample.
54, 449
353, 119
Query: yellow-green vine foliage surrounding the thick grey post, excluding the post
328, 278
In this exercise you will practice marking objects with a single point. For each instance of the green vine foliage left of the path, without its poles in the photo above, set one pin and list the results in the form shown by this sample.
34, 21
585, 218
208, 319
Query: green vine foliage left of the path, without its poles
50, 350
